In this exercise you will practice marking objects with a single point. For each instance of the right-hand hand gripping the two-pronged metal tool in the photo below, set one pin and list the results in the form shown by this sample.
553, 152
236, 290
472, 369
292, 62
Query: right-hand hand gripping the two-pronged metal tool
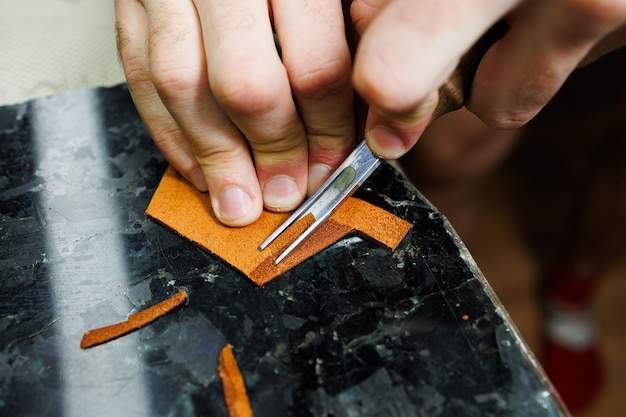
409, 48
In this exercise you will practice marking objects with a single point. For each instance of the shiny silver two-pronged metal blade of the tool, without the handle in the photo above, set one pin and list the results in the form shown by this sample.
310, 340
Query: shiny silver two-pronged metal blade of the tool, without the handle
350, 175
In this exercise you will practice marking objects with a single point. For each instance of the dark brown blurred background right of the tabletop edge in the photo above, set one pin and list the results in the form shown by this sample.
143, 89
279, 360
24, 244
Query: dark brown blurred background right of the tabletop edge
542, 209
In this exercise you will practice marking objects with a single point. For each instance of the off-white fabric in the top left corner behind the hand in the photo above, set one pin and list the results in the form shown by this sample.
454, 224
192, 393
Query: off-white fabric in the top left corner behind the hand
49, 46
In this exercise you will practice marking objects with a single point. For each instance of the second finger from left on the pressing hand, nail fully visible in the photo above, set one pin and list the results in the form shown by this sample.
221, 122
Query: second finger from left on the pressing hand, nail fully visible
179, 71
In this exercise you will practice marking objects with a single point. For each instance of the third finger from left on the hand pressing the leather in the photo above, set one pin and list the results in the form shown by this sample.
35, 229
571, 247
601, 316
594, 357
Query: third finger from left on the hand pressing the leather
250, 83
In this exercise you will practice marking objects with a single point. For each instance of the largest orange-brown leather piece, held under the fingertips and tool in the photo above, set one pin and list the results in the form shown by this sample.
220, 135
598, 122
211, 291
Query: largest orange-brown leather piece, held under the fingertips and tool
179, 206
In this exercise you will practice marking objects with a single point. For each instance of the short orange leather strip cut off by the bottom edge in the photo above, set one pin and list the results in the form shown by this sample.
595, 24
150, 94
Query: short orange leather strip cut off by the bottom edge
235, 393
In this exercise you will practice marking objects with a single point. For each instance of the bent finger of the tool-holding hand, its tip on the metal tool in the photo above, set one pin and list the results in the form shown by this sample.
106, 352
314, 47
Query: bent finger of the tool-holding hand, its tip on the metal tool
406, 53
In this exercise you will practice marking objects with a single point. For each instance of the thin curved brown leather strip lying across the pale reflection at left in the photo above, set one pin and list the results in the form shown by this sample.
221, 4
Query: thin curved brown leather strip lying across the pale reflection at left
135, 321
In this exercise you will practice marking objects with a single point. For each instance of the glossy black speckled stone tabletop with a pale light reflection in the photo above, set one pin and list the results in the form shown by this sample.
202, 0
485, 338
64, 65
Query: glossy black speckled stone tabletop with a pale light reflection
354, 331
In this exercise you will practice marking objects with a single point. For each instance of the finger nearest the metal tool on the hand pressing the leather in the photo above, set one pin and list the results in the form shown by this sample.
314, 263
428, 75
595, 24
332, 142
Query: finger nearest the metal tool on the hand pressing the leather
317, 59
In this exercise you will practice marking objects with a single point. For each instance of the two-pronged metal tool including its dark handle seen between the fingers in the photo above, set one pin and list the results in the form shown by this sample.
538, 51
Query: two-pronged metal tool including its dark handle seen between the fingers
361, 163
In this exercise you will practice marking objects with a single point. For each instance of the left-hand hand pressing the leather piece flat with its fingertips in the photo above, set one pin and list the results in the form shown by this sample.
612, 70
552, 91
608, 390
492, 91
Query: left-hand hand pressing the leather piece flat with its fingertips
223, 107
